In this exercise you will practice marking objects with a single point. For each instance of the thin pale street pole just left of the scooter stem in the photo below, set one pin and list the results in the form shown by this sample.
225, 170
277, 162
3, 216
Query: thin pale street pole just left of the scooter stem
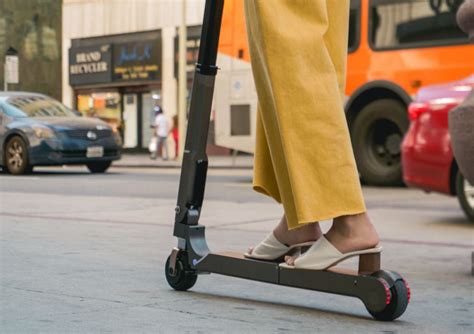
182, 82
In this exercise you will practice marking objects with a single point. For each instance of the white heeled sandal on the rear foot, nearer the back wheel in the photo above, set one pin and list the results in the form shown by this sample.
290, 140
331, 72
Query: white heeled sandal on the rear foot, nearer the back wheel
323, 255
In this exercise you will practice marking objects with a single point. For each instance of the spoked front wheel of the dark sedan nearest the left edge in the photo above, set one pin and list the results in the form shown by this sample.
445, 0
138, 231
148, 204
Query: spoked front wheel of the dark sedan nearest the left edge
16, 157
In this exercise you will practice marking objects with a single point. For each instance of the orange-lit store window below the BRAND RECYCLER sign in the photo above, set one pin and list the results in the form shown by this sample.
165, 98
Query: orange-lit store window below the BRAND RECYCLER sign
103, 105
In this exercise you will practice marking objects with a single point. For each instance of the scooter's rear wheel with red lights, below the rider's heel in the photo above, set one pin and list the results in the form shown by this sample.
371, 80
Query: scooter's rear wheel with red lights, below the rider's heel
398, 297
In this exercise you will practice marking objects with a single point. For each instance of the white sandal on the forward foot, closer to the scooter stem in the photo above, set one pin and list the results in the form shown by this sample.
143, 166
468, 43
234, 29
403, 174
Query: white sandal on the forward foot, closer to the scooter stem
271, 249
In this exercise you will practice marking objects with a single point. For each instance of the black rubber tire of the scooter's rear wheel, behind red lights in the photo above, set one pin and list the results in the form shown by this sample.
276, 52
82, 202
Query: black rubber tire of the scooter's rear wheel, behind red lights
398, 302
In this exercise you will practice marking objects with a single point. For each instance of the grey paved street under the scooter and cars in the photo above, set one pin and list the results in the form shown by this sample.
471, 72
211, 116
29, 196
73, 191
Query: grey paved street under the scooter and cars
85, 253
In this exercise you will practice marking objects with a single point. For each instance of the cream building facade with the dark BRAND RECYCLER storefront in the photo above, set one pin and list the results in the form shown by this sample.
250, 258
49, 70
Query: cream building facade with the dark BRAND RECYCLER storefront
119, 60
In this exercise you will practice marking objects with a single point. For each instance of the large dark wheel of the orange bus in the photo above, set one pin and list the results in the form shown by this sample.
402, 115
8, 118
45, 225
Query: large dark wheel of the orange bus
377, 134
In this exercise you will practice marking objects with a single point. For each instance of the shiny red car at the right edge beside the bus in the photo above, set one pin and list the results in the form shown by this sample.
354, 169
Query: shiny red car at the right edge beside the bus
427, 156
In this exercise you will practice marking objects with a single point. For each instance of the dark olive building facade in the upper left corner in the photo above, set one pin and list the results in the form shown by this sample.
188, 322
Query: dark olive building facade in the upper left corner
33, 28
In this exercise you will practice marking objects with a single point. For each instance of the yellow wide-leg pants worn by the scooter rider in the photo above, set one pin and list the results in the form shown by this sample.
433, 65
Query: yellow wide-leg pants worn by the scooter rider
303, 154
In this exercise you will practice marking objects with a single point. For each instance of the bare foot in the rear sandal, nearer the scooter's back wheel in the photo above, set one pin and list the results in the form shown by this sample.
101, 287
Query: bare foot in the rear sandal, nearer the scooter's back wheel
349, 234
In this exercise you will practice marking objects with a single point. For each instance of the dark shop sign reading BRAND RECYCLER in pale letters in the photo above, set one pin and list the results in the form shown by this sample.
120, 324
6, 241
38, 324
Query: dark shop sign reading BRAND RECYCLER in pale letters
89, 65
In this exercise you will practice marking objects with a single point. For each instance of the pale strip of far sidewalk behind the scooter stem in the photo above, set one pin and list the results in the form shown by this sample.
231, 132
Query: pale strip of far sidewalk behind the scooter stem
142, 160
